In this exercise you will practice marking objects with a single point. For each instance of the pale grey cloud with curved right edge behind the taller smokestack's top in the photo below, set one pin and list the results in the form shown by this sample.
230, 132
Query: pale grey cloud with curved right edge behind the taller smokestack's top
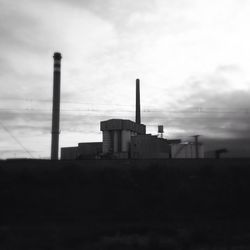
34, 30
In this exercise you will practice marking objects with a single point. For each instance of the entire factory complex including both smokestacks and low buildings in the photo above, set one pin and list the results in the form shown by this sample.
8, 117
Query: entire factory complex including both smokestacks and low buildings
121, 139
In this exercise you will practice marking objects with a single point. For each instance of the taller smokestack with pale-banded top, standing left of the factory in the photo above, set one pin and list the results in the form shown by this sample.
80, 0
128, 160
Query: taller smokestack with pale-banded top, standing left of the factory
56, 106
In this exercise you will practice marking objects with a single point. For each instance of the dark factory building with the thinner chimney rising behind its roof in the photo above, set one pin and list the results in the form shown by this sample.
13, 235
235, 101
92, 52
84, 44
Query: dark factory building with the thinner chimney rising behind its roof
126, 139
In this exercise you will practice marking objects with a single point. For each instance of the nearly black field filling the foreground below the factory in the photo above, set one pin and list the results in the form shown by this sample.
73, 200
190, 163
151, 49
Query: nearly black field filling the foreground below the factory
174, 204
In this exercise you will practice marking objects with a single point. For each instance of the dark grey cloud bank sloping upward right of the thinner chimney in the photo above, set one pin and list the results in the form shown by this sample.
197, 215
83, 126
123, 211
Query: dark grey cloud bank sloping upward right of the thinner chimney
214, 108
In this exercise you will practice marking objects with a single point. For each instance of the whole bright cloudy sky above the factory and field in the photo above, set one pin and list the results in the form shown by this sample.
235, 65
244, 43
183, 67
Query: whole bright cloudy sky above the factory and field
192, 56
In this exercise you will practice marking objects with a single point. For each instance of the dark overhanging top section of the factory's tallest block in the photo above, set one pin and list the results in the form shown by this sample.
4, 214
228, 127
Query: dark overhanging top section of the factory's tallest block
121, 124
